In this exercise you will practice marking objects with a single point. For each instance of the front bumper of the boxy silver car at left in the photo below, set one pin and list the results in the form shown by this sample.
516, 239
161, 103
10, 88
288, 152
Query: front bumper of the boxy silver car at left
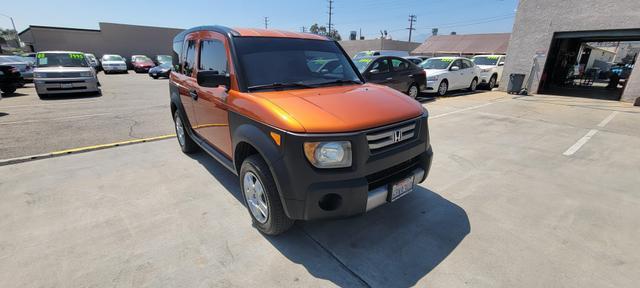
66, 85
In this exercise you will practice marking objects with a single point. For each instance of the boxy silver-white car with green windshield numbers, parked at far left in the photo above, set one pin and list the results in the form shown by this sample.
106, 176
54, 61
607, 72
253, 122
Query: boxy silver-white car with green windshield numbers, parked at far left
64, 72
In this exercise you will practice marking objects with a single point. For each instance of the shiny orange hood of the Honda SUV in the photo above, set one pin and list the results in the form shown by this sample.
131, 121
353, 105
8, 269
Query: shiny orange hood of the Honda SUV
344, 108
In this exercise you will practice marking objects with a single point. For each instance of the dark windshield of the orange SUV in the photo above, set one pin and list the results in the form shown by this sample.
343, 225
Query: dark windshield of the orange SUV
284, 62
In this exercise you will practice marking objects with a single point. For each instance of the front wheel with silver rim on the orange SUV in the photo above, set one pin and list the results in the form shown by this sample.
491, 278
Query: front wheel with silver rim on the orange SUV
262, 198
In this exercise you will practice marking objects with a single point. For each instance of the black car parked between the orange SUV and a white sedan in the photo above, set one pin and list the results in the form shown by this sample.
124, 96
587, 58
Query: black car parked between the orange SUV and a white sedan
395, 72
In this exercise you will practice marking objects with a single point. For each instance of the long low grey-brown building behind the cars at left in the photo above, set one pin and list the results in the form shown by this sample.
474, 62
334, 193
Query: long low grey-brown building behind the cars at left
111, 38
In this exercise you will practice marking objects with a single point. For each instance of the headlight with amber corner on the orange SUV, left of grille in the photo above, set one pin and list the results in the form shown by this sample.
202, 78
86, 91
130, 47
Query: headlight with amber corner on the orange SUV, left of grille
328, 154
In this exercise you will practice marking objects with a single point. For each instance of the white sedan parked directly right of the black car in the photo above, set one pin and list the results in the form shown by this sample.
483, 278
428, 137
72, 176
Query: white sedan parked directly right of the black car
450, 73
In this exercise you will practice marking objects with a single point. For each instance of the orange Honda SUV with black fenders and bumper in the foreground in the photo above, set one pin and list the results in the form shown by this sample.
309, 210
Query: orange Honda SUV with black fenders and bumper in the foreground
292, 117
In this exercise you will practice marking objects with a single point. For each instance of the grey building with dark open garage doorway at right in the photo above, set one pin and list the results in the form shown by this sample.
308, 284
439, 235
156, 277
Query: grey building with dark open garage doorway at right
546, 44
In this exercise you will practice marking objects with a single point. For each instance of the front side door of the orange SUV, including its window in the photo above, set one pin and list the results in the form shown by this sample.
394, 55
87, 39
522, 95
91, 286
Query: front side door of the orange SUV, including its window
210, 105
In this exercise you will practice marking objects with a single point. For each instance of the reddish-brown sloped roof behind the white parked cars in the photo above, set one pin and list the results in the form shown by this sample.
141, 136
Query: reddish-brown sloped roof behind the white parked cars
495, 43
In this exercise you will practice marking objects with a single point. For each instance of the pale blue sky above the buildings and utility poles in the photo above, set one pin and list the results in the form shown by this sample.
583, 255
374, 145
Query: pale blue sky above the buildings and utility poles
462, 16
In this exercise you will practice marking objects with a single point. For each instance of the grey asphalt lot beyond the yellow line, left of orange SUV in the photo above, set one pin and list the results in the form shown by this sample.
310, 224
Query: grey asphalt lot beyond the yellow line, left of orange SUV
132, 106
